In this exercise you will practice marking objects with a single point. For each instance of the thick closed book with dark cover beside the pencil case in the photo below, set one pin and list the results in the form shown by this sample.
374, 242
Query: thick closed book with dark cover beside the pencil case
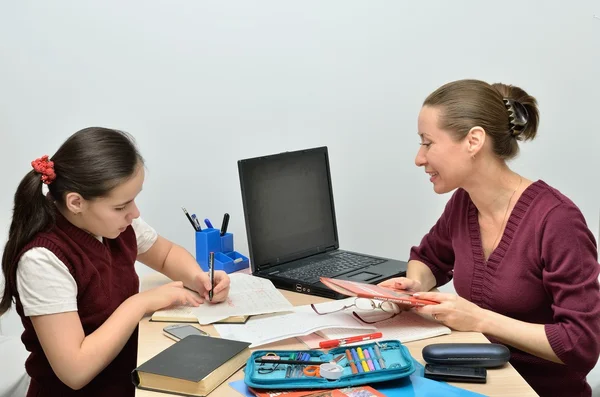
194, 366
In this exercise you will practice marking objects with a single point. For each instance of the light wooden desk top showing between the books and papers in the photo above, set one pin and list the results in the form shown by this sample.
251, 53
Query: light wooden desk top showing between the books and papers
505, 381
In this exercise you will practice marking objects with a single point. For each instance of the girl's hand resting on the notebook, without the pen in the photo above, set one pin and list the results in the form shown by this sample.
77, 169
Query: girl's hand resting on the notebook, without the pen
171, 294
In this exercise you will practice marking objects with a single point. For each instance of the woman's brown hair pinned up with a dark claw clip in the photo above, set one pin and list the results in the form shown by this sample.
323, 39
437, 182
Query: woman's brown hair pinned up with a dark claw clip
507, 113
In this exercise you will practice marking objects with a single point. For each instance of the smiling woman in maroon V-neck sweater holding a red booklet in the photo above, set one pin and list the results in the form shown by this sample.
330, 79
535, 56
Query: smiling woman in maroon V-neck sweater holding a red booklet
523, 260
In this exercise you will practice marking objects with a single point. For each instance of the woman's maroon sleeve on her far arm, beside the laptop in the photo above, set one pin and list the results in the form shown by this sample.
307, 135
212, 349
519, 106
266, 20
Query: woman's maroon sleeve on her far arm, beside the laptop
435, 249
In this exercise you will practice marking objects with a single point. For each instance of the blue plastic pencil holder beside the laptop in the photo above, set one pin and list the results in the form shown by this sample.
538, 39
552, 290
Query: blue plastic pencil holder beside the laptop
226, 259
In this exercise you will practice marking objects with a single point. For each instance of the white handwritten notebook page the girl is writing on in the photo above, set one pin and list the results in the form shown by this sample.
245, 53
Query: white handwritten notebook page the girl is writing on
248, 295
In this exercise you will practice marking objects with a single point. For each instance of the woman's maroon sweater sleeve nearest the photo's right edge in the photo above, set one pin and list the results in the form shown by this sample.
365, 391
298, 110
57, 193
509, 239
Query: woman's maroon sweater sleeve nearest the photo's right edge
570, 276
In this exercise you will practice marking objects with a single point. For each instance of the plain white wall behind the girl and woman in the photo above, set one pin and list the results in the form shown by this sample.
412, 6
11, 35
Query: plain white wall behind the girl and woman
203, 84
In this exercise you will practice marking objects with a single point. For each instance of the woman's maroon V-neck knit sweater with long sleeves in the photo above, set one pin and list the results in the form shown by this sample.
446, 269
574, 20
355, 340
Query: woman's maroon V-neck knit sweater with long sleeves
544, 271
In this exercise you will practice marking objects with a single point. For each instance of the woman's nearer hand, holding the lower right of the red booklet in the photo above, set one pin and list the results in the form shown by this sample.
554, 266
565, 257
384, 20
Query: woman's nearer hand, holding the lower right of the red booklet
453, 311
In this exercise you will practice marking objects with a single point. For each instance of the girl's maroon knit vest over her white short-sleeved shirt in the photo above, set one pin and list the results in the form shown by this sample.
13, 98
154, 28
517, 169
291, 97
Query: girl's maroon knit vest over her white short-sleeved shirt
105, 277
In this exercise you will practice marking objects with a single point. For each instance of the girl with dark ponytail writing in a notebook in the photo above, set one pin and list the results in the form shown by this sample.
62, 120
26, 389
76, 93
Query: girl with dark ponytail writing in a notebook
69, 265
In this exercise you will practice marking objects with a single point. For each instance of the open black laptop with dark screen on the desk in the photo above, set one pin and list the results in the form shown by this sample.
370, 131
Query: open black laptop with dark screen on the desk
291, 225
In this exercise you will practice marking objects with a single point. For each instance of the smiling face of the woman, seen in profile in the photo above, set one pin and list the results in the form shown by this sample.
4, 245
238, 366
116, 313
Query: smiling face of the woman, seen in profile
446, 161
